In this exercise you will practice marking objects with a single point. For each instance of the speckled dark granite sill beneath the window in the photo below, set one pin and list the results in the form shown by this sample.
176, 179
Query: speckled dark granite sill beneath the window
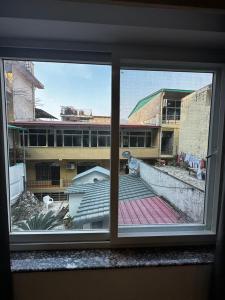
36, 261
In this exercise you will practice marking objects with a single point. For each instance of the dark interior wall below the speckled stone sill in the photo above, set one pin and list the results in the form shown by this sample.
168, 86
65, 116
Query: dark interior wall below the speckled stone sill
175, 283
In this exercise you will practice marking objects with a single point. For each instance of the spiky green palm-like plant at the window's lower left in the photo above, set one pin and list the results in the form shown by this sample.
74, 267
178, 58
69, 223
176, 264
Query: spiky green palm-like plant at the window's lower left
40, 222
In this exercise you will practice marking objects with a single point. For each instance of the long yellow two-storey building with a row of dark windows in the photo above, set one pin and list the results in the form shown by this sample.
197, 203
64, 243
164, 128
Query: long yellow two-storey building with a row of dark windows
56, 151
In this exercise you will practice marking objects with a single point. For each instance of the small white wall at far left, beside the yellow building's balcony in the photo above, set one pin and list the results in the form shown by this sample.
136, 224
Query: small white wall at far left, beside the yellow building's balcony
16, 178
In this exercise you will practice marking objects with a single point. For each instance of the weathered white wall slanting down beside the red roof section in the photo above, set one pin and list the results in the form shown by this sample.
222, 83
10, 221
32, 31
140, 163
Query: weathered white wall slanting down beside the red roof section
188, 200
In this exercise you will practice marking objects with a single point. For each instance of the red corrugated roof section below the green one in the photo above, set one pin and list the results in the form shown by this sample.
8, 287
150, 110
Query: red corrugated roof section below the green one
151, 210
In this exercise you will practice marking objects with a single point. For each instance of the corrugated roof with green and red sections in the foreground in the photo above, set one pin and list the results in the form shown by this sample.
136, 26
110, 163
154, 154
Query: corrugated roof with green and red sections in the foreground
138, 204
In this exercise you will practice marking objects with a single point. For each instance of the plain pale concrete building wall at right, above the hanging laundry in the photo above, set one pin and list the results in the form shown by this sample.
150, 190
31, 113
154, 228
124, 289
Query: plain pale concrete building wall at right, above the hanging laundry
194, 123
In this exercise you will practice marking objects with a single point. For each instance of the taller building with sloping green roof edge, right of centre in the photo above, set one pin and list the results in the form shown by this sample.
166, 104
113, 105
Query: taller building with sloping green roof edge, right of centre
161, 108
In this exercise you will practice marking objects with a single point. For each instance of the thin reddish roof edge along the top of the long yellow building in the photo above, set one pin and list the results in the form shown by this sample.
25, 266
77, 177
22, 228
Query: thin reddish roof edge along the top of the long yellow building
40, 123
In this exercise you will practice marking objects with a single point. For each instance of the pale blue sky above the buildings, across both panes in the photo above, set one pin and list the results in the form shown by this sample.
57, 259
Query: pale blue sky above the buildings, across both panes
87, 86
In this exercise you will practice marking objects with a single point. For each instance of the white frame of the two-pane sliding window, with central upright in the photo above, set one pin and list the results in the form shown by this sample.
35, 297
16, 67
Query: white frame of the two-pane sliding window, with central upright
142, 235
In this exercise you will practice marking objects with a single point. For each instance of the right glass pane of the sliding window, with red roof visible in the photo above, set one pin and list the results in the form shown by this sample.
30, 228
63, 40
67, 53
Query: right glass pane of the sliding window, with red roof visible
163, 174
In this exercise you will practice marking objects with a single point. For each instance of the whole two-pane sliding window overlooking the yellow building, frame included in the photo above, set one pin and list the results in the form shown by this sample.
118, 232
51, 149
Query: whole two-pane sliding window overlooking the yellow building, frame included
162, 156
